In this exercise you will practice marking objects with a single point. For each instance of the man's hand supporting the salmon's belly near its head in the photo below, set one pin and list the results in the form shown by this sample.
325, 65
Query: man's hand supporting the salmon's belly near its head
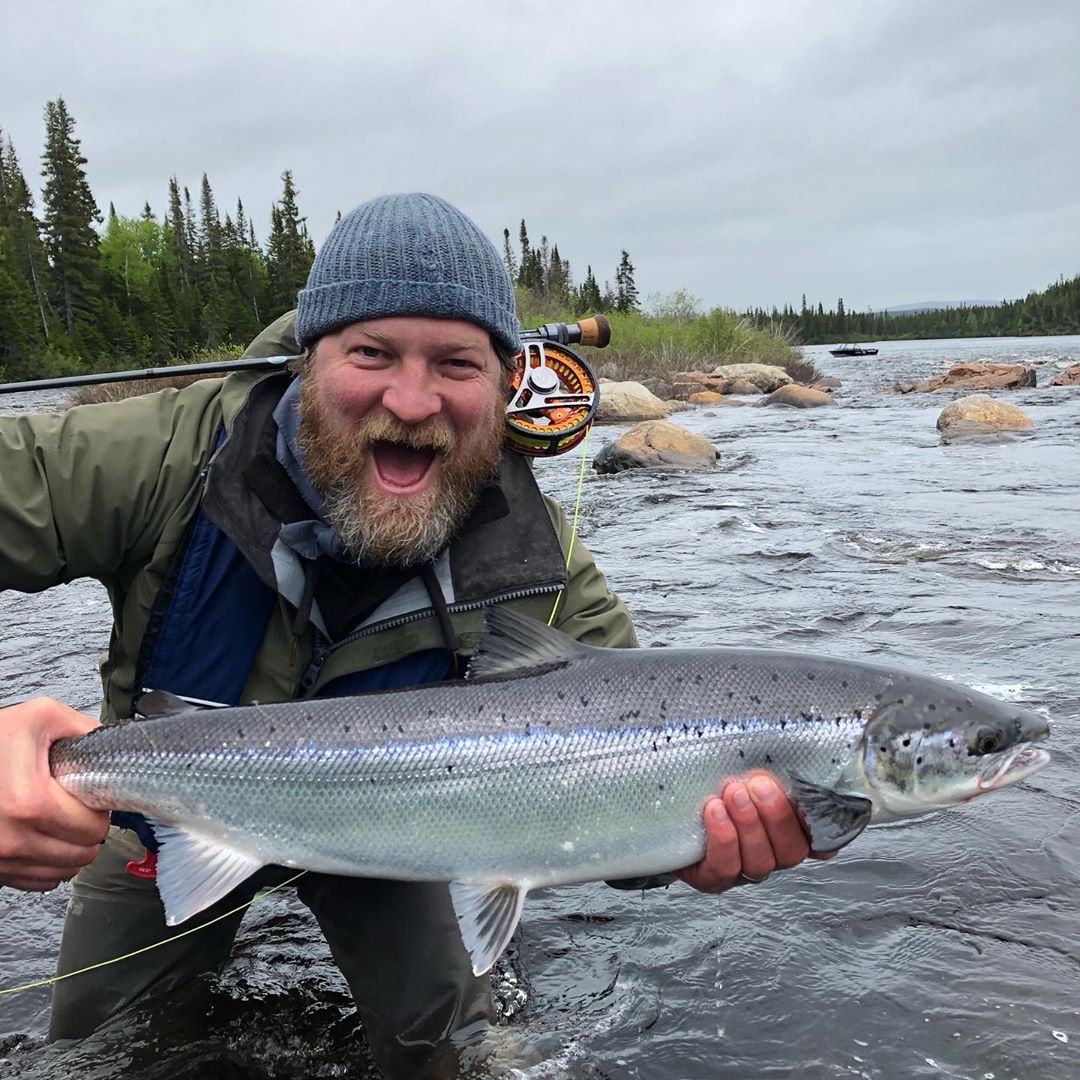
752, 830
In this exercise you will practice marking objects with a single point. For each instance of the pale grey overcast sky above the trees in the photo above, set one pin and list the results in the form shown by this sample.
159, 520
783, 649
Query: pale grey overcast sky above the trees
746, 151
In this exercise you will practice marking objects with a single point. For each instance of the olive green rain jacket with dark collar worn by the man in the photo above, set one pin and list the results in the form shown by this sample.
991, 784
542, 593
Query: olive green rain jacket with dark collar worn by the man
109, 492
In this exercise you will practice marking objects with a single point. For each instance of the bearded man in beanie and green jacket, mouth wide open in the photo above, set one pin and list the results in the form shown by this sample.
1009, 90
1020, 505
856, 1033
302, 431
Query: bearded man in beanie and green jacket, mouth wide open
329, 531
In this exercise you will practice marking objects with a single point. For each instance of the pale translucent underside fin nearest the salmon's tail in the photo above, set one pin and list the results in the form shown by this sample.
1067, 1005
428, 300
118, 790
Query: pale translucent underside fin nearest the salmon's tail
195, 873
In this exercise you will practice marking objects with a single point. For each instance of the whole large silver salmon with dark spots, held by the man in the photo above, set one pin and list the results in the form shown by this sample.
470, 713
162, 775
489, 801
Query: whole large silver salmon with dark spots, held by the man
551, 763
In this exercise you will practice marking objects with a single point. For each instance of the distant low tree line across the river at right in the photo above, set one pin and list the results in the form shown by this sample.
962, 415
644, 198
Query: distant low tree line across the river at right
1052, 310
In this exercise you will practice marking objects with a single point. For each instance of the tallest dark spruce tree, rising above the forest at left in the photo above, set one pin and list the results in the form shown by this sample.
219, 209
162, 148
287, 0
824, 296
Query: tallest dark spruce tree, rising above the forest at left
71, 239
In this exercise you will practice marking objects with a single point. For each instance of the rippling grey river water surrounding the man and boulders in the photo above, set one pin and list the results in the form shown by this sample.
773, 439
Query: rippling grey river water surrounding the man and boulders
949, 948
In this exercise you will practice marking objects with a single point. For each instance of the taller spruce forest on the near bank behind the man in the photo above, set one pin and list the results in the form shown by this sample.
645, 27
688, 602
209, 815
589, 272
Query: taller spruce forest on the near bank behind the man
84, 291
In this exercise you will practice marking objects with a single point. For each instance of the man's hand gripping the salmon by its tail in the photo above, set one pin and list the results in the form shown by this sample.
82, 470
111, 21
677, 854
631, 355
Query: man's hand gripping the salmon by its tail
47, 835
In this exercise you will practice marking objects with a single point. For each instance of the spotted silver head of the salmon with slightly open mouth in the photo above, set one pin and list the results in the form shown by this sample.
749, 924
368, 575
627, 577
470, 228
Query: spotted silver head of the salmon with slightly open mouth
930, 744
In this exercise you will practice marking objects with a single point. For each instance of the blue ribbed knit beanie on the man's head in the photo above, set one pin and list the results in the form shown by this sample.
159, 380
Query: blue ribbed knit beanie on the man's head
408, 255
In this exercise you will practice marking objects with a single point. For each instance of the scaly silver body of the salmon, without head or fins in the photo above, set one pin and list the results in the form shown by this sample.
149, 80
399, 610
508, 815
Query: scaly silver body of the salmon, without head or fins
579, 758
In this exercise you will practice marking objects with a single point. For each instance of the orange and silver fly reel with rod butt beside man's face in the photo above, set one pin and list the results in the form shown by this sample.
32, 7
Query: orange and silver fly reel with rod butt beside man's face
555, 391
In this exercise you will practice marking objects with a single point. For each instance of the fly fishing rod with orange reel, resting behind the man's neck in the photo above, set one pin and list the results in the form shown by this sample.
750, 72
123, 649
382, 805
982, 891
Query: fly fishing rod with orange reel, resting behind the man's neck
555, 391
